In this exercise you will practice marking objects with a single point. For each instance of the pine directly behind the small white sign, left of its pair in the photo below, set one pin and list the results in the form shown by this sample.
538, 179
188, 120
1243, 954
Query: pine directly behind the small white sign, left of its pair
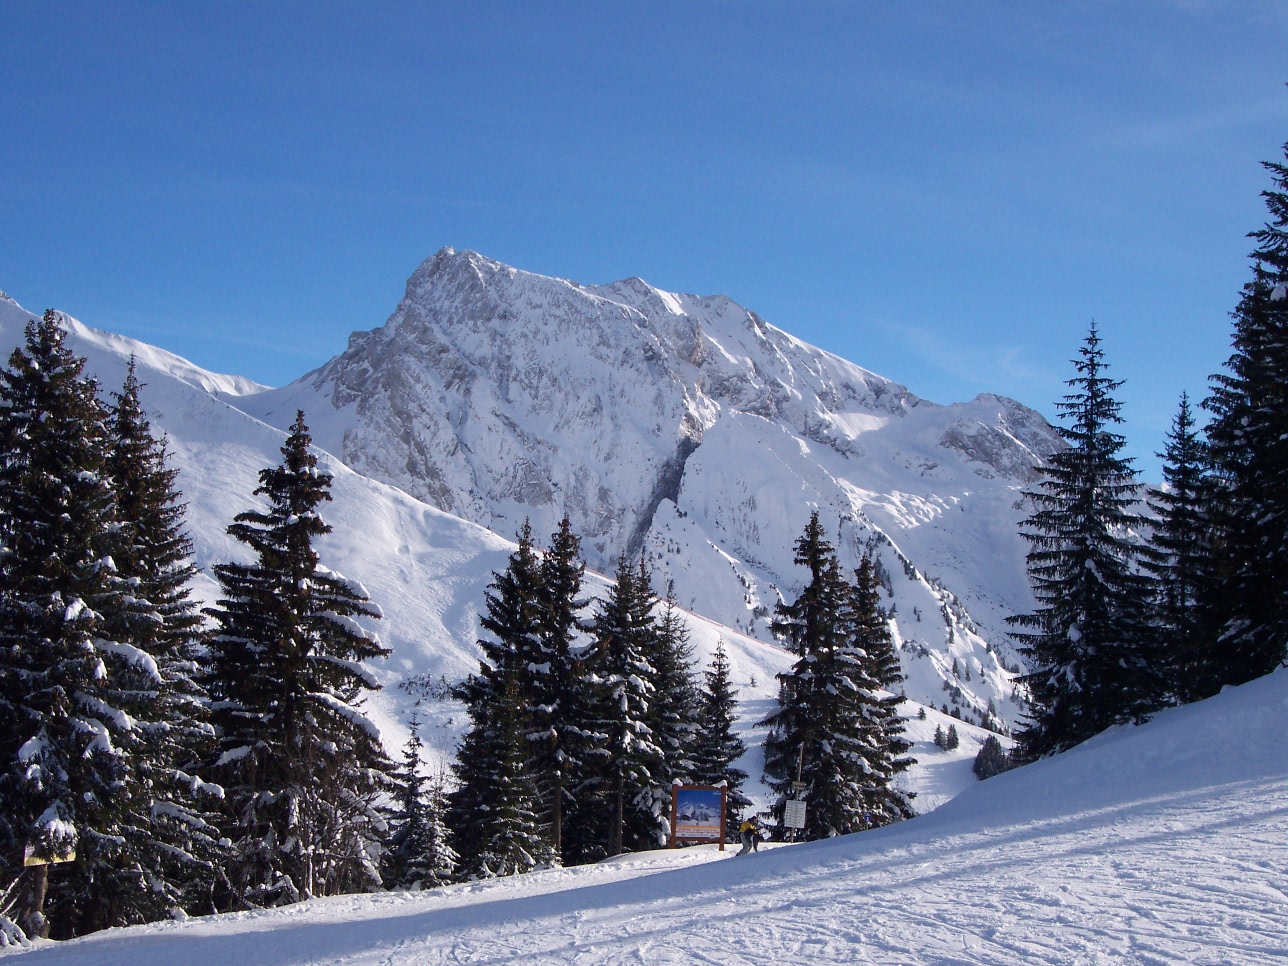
824, 727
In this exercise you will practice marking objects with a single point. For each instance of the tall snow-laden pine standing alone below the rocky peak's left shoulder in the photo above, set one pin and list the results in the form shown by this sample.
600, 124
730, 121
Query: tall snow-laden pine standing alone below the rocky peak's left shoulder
302, 766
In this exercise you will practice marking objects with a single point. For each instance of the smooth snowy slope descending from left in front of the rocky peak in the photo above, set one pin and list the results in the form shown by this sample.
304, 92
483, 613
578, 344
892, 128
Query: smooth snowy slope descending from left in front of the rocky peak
426, 569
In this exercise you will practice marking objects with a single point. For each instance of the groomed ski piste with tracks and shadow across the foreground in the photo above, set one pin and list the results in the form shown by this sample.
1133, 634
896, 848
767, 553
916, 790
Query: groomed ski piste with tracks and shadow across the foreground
1161, 844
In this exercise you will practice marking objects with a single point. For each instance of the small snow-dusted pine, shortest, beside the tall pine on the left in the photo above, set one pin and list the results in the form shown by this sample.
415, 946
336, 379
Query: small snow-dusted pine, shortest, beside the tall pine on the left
418, 853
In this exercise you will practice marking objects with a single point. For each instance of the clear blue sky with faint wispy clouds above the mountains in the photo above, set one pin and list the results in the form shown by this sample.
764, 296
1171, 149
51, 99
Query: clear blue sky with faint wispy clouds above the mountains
943, 193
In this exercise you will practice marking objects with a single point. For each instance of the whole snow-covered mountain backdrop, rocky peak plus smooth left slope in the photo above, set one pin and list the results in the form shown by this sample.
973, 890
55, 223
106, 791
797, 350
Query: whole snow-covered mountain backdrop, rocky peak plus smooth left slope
759, 430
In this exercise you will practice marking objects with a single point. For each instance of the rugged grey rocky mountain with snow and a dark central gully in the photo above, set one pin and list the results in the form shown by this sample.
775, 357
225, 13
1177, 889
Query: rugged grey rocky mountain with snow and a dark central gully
694, 432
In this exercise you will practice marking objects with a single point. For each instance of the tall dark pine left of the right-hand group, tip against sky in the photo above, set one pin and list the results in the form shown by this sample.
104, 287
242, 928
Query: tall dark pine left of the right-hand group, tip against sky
1089, 642
